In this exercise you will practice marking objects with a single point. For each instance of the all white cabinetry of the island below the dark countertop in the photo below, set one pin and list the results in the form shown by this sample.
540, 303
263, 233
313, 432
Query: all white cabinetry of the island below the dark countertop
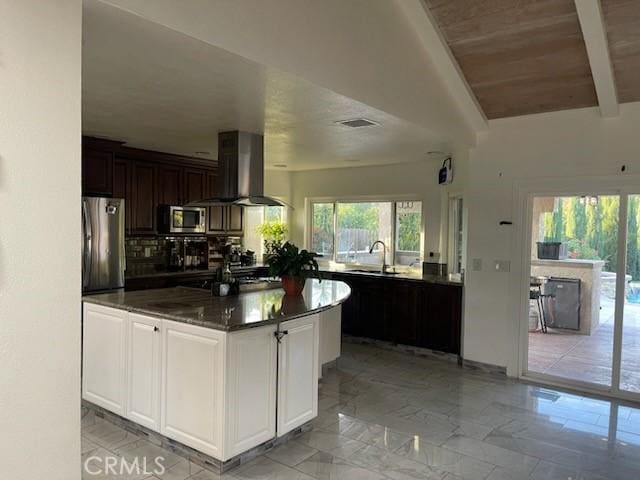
212, 390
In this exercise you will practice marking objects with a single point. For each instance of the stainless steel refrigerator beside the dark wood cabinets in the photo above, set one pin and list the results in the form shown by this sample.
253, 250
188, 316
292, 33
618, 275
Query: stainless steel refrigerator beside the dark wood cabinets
103, 256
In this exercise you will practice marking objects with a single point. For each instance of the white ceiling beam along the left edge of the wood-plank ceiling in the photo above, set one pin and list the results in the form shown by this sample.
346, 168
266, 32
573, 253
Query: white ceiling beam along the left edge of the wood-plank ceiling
445, 63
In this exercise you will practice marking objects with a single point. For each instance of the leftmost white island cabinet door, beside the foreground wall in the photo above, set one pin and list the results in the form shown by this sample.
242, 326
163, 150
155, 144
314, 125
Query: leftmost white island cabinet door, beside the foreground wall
104, 359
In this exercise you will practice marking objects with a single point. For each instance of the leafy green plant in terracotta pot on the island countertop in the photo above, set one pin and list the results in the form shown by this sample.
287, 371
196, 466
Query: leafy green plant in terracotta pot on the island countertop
293, 266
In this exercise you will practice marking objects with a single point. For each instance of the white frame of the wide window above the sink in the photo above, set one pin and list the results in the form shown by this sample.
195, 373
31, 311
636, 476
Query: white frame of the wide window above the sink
393, 199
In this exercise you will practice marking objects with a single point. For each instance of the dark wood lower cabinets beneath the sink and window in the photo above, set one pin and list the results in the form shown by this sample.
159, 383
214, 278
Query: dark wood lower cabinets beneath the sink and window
405, 312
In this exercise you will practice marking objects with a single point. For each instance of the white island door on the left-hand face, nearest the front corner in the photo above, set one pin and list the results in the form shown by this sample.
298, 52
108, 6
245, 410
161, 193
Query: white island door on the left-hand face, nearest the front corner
192, 386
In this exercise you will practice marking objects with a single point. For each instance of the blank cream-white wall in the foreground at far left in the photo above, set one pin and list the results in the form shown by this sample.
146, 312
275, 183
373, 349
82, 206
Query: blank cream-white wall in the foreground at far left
40, 239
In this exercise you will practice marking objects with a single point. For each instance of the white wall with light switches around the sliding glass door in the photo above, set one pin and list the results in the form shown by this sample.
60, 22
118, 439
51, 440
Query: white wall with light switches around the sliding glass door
555, 147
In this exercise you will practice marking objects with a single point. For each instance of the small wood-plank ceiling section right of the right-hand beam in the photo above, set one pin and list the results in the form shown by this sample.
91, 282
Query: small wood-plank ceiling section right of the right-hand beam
622, 20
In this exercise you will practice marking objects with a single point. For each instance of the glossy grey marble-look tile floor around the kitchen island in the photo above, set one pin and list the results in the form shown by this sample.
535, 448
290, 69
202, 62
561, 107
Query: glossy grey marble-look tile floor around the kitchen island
392, 416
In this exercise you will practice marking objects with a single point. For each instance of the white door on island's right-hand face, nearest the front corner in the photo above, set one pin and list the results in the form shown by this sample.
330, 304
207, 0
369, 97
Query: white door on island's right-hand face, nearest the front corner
251, 389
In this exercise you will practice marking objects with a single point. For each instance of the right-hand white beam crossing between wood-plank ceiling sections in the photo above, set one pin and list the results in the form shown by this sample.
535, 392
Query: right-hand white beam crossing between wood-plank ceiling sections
595, 39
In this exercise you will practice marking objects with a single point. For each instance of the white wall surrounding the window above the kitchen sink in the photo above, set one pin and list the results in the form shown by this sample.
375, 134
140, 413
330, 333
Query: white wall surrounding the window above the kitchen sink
419, 179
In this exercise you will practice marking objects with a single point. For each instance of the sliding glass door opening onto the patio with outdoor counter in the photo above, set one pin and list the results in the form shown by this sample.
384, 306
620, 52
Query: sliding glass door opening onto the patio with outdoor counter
583, 316
